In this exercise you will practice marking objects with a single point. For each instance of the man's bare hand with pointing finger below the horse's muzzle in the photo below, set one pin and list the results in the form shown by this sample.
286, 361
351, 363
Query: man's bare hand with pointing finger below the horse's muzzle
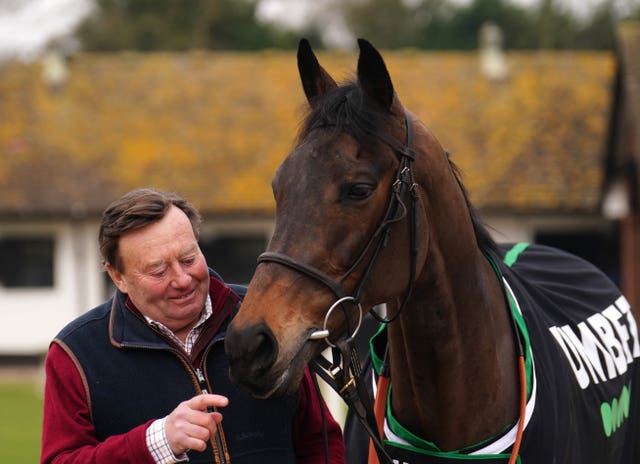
190, 425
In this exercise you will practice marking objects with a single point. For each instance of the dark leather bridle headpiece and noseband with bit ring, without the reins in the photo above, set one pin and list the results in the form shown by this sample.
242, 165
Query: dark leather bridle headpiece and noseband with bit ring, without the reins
396, 211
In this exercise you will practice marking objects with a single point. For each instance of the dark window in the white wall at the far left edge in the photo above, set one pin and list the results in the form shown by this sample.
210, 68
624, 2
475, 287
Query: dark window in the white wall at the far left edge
26, 262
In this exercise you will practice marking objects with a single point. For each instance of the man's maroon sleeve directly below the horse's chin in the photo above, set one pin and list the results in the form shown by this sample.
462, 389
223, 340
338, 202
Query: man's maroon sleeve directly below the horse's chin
308, 428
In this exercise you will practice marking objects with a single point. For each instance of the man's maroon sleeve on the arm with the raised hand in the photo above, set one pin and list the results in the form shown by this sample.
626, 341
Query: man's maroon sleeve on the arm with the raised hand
68, 435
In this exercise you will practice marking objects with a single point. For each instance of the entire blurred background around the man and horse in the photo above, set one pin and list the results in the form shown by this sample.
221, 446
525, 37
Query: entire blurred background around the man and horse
537, 100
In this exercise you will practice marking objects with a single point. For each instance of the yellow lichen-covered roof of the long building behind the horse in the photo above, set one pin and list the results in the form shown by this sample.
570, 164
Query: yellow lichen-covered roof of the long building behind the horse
214, 126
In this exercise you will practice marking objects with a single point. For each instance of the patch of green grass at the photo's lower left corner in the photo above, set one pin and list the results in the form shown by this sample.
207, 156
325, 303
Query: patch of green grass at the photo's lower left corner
21, 421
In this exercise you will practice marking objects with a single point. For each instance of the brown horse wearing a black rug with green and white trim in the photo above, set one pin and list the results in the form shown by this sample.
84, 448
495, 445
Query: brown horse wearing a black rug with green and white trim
494, 352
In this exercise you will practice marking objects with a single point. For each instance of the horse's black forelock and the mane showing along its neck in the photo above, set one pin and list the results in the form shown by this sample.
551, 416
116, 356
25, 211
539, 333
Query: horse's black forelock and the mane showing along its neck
347, 109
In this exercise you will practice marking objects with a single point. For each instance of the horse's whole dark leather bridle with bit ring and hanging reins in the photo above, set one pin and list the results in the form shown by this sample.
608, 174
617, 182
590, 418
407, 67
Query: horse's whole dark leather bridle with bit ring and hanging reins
344, 374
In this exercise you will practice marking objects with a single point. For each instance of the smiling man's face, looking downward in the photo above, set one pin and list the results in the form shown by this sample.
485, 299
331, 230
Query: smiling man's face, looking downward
165, 273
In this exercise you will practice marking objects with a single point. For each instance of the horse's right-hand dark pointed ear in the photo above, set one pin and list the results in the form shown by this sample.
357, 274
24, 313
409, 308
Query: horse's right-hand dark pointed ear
373, 76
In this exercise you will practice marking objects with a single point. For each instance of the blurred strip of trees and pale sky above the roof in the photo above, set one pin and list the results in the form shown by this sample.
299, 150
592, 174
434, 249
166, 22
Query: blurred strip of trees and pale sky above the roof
28, 26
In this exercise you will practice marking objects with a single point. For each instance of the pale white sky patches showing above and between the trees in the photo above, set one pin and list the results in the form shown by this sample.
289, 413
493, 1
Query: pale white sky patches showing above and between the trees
27, 26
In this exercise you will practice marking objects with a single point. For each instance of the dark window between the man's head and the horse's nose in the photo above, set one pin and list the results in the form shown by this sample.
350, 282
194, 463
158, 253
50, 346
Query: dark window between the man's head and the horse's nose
233, 256
